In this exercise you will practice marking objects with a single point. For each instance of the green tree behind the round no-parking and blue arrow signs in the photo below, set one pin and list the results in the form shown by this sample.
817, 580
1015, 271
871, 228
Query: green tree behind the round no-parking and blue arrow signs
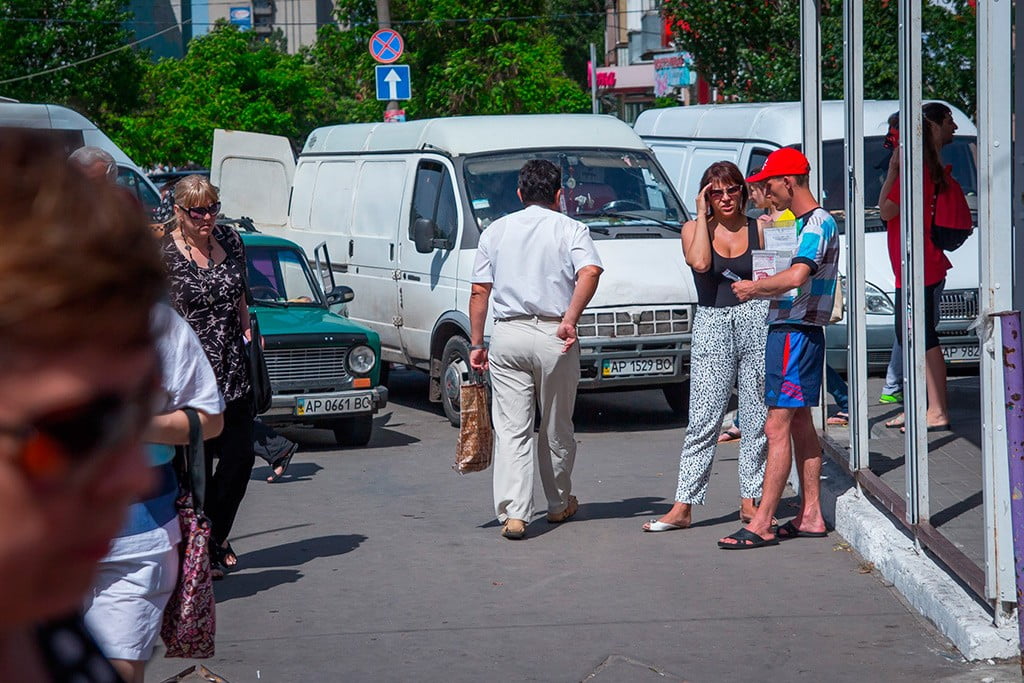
466, 57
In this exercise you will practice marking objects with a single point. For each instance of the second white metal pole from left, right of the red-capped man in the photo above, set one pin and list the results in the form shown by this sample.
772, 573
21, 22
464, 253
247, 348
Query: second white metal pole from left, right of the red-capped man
857, 323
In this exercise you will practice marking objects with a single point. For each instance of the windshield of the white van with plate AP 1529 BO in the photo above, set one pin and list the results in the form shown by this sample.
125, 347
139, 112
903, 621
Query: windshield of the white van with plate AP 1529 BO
620, 195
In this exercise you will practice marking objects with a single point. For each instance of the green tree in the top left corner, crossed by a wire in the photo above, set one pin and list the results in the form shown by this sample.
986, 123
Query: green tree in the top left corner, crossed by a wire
37, 36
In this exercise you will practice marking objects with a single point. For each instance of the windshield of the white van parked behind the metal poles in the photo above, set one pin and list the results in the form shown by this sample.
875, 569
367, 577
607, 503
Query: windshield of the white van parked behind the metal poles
961, 154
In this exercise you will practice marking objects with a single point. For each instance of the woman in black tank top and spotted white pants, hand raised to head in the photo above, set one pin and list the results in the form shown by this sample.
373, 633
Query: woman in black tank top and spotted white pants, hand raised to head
729, 344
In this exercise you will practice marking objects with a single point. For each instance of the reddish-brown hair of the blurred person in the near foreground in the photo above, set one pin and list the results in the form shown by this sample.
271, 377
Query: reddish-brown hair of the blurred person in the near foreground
78, 266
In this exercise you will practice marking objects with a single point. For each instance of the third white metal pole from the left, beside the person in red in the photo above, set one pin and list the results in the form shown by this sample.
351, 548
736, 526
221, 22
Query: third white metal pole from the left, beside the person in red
912, 235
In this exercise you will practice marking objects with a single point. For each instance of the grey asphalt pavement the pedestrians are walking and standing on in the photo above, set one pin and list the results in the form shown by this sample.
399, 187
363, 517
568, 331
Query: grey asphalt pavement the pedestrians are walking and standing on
383, 565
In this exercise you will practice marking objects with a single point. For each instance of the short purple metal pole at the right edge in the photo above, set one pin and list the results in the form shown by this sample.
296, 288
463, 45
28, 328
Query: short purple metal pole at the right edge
1013, 375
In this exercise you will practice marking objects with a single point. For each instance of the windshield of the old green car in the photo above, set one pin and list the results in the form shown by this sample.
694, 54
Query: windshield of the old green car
281, 276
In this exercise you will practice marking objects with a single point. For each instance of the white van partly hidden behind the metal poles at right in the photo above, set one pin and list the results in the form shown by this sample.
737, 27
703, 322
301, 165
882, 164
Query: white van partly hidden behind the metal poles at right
688, 140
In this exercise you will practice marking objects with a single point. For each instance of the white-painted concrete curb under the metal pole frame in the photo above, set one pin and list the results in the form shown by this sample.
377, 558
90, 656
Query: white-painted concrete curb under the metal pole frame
926, 586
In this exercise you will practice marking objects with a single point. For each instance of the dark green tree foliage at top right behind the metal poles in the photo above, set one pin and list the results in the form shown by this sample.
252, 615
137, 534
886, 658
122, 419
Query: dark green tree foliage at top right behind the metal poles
751, 49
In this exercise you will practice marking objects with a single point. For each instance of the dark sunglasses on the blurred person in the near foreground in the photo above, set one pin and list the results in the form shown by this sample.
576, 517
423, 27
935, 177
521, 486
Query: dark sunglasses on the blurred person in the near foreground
61, 441
